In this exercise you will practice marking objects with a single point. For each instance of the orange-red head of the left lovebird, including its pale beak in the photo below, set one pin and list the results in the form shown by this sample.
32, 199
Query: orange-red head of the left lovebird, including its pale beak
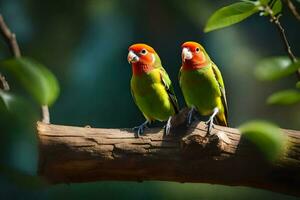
141, 57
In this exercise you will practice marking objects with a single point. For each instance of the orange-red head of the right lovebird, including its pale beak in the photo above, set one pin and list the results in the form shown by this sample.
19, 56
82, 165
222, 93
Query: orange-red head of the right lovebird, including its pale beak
193, 56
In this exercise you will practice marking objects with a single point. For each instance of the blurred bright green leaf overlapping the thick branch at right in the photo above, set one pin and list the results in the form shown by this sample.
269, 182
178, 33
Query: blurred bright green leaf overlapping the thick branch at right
267, 137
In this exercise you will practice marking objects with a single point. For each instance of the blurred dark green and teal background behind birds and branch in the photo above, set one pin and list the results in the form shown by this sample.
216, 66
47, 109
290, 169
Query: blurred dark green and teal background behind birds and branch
85, 44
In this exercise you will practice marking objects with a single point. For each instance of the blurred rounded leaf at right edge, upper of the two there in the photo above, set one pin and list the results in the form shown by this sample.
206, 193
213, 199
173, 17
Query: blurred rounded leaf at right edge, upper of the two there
274, 68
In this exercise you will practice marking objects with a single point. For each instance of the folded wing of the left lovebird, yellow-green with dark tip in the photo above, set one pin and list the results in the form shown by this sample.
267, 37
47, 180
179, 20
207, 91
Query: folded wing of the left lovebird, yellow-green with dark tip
169, 88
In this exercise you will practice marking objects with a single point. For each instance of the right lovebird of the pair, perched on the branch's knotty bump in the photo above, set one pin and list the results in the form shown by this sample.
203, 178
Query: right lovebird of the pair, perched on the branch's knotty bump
202, 85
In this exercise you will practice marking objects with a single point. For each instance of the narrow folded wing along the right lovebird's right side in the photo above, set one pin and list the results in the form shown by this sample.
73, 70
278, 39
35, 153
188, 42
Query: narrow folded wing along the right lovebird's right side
221, 120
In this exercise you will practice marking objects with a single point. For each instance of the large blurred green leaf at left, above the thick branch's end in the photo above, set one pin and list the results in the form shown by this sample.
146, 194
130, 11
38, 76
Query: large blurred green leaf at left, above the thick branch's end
35, 78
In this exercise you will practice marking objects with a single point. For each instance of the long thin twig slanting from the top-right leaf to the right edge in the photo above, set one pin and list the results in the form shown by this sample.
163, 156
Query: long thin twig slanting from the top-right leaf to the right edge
275, 20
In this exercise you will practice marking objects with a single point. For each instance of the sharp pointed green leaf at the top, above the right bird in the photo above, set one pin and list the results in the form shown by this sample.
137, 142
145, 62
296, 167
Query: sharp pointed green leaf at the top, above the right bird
229, 15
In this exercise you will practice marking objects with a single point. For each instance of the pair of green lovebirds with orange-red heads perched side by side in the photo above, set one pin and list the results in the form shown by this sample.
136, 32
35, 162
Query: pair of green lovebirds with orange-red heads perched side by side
200, 80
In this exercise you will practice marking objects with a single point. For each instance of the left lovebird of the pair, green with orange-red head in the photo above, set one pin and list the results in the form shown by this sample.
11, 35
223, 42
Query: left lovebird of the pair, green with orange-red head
151, 87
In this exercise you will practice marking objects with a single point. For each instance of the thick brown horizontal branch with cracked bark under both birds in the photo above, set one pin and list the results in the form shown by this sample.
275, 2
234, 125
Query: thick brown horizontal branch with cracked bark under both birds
73, 154
